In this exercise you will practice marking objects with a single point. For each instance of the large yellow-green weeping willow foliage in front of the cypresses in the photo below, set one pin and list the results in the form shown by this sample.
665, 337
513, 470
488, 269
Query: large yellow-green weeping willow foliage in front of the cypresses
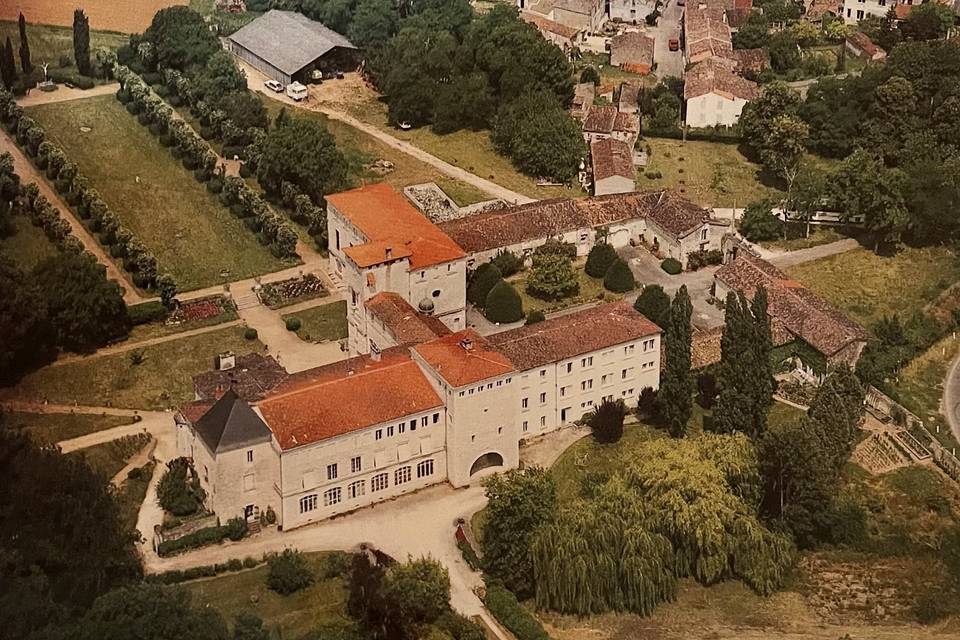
682, 508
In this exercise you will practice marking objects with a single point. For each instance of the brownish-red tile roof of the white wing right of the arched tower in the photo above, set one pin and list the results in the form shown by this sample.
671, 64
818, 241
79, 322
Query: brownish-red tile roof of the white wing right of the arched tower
573, 334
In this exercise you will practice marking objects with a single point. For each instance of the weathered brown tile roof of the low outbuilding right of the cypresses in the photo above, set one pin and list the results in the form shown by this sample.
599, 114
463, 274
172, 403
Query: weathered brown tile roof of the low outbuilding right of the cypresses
792, 306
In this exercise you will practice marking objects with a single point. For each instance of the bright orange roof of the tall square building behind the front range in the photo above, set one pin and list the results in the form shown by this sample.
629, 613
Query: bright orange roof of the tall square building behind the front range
385, 216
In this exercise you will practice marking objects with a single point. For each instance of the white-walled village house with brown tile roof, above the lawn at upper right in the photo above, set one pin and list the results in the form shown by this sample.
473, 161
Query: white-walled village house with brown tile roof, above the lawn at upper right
715, 95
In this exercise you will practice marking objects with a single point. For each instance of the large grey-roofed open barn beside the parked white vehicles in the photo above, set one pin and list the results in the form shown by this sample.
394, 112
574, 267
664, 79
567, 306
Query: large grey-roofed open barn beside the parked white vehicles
288, 46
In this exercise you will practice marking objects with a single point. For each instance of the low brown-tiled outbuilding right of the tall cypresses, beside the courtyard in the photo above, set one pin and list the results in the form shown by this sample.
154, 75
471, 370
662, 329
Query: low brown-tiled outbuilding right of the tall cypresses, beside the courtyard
809, 334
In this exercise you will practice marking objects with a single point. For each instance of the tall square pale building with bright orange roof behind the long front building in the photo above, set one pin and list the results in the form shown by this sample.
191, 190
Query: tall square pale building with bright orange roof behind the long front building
380, 242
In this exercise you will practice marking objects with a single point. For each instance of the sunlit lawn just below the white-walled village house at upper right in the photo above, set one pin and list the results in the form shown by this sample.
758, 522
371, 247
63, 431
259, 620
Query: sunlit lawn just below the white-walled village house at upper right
712, 174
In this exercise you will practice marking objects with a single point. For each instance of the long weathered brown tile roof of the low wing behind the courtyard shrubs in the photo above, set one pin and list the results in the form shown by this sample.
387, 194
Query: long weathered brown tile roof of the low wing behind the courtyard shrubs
513, 225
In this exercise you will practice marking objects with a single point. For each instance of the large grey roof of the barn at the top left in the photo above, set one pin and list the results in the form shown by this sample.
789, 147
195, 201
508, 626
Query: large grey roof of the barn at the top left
288, 40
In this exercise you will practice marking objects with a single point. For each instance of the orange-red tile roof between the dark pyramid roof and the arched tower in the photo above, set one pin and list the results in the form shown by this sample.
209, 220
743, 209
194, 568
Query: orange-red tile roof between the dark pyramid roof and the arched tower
332, 401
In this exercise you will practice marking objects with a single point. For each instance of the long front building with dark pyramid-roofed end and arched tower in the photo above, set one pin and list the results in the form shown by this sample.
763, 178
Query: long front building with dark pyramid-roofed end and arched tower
453, 408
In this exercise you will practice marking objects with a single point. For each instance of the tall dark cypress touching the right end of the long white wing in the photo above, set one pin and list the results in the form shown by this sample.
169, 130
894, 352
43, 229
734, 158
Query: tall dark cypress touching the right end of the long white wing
676, 387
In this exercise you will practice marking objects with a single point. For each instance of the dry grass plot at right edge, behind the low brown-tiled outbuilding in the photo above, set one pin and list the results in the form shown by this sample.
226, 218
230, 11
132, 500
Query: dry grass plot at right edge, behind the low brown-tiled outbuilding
867, 286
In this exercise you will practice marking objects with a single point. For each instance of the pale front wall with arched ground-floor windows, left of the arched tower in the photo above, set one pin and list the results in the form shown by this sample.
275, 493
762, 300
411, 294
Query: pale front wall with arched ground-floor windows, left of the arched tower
305, 469
